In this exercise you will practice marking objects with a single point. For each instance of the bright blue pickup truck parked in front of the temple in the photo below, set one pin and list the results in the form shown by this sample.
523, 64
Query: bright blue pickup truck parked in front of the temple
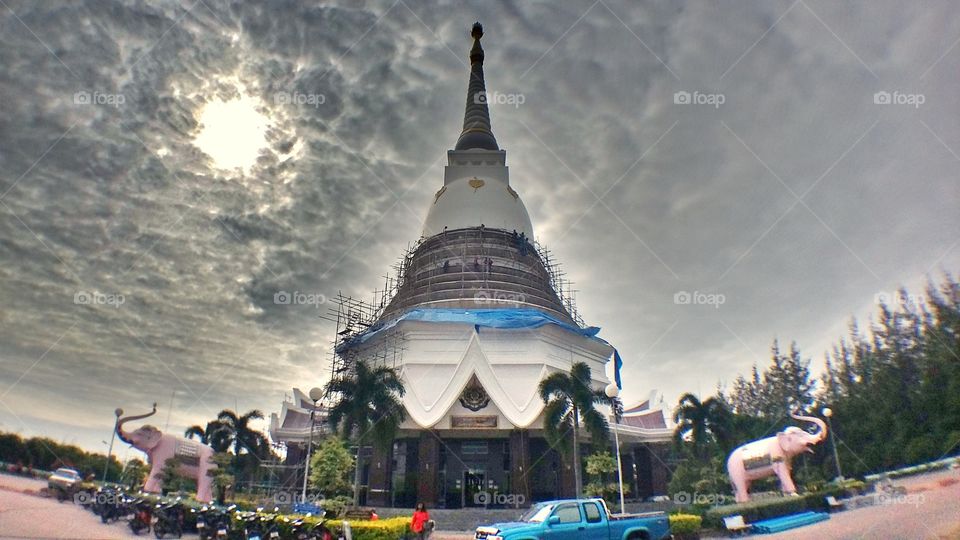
578, 519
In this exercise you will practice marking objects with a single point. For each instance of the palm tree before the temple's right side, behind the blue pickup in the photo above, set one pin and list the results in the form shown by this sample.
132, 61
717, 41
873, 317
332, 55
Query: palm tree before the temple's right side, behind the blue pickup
570, 400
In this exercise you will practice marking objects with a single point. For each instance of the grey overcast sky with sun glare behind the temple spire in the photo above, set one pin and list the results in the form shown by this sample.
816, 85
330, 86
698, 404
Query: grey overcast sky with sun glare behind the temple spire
166, 168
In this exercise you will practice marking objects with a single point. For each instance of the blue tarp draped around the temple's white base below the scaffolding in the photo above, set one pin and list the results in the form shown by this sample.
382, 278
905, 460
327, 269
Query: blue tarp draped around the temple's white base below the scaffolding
513, 318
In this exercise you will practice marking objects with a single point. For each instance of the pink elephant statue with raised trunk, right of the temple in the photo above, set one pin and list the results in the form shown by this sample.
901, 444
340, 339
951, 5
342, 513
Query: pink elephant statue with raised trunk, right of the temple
770, 456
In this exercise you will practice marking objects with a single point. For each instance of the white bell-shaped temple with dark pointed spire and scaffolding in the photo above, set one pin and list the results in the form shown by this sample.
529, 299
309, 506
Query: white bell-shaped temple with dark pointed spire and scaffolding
476, 317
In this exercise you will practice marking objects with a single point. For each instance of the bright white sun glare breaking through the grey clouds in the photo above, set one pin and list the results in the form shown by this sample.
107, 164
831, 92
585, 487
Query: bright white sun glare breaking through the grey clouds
232, 132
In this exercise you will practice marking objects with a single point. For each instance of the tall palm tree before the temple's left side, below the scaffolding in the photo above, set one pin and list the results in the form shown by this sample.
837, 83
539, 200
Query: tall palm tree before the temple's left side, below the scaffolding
367, 405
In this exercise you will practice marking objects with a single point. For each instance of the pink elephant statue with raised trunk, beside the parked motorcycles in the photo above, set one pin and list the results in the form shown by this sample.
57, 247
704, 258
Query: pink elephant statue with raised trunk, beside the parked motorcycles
194, 457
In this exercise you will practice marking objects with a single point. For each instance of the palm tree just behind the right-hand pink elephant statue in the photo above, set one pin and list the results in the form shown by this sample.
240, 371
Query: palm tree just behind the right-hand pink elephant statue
705, 422
